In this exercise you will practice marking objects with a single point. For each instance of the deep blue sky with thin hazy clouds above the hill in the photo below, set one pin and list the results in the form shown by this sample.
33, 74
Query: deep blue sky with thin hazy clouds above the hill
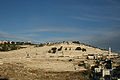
95, 22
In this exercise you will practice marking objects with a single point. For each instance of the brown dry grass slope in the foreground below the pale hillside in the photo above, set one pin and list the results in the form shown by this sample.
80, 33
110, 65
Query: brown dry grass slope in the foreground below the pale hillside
17, 71
